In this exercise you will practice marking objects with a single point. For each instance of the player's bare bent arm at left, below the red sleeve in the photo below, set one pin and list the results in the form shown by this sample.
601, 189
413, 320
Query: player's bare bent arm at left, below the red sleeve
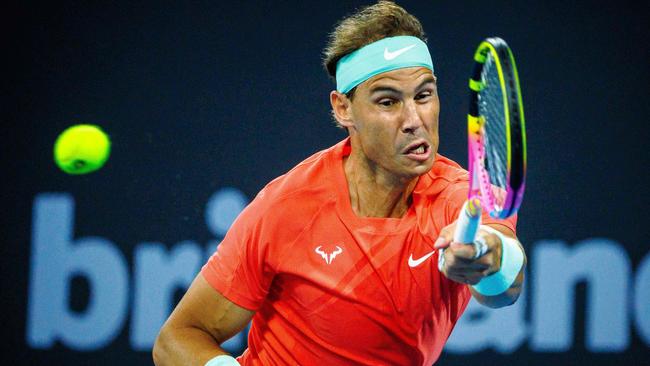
202, 321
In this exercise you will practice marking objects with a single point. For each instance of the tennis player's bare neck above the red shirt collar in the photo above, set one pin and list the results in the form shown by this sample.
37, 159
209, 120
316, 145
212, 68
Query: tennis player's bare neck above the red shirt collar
375, 192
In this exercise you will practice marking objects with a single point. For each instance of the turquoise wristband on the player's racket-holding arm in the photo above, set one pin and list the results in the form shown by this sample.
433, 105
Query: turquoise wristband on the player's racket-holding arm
512, 259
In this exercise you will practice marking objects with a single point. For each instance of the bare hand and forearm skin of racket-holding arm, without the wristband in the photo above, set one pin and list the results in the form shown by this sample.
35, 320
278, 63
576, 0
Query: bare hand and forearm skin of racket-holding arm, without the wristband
461, 268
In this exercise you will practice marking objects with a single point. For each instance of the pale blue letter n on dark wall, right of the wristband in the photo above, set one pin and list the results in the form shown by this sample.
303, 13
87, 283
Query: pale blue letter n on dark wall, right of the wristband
557, 268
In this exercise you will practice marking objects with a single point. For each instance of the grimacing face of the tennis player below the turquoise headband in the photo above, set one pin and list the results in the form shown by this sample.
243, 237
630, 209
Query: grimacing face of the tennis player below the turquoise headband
396, 120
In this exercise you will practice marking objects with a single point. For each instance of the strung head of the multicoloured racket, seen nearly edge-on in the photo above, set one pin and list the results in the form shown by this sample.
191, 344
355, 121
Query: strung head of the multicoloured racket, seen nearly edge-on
496, 130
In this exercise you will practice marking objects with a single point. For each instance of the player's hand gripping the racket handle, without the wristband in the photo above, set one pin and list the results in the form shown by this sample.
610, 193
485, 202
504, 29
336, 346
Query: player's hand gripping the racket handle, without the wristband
461, 264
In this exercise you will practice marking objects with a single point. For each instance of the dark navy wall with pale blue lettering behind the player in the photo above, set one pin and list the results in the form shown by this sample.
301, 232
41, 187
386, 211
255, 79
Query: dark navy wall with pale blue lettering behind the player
207, 101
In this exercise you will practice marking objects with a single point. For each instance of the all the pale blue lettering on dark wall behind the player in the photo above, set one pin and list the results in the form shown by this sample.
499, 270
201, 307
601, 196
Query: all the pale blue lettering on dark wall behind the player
612, 301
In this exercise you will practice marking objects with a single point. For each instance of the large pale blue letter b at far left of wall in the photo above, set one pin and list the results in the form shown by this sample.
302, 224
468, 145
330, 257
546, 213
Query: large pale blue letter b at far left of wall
55, 259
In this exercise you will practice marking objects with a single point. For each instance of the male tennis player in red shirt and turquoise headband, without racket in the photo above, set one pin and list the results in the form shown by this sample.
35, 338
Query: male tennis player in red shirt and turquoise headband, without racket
335, 261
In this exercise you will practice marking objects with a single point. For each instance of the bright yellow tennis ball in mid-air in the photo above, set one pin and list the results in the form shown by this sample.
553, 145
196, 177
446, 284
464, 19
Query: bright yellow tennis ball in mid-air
81, 149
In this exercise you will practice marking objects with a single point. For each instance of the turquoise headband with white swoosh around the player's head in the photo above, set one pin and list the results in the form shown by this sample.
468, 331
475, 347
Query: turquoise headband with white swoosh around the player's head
384, 55
